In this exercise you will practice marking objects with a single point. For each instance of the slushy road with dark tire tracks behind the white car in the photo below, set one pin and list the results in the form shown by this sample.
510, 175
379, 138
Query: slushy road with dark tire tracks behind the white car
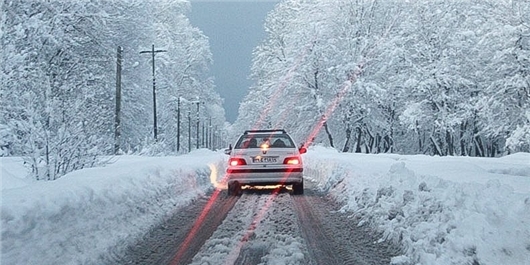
260, 227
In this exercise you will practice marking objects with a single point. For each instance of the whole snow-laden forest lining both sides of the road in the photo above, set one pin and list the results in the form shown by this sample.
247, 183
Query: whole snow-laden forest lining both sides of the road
370, 76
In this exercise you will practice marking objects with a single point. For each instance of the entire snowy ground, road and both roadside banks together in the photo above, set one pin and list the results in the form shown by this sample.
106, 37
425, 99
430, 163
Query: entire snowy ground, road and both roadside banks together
140, 210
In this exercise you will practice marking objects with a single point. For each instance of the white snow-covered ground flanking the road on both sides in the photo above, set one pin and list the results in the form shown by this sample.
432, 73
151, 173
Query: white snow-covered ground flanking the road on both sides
443, 210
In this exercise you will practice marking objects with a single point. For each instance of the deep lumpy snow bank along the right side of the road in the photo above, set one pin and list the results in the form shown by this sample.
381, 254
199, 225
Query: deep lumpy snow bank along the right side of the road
443, 210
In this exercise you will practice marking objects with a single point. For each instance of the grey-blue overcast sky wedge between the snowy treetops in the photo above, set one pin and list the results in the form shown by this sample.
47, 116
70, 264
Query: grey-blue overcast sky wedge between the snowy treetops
234, 29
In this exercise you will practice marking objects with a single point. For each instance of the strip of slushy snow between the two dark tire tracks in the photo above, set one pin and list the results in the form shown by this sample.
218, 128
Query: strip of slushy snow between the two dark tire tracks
260, 229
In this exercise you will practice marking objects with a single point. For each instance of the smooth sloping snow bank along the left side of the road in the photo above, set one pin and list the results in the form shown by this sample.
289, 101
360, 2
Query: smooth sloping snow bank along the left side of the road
78, 217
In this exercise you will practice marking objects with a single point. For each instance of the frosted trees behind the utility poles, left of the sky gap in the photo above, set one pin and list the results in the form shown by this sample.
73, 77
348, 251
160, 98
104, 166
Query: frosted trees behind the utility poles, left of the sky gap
58, 80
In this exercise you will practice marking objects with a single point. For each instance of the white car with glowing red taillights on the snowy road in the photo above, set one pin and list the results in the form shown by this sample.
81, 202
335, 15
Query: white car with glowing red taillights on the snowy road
265, 157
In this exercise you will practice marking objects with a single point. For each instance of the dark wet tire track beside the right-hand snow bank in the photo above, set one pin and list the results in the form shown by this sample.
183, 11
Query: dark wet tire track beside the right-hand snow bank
335, 238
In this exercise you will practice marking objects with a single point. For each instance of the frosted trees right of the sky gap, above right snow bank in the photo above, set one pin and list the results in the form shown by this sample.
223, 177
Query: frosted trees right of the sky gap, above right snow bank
413, 77
